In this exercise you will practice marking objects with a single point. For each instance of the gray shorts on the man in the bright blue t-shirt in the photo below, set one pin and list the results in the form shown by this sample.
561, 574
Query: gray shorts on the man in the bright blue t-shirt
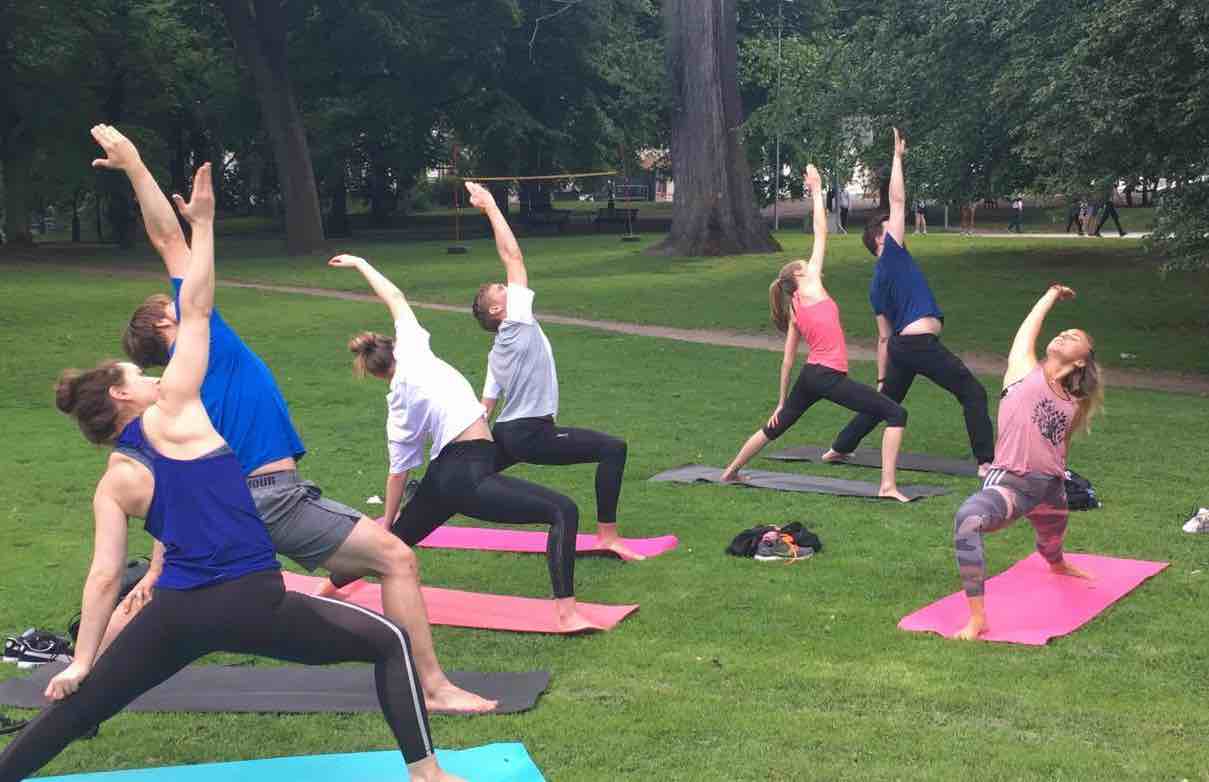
303, 524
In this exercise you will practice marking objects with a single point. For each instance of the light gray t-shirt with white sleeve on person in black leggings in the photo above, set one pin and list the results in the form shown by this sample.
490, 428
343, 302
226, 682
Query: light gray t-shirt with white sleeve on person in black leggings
522, 364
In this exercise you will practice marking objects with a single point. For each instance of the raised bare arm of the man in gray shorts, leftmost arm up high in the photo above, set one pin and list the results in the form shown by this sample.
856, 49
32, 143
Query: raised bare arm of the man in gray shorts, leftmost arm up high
159, 219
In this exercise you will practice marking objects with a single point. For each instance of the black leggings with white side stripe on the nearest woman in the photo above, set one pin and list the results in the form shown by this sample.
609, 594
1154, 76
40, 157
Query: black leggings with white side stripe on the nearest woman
253, 615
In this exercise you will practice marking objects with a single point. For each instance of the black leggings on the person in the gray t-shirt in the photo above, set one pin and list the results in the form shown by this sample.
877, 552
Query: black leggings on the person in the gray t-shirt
540, 442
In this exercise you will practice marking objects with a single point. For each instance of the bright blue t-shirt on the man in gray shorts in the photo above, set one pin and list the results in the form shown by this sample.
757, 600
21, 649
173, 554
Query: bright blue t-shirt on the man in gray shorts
244, 401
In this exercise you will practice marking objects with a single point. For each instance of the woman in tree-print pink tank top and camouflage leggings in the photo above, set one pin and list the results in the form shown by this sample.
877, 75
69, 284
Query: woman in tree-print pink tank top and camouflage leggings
1044, 406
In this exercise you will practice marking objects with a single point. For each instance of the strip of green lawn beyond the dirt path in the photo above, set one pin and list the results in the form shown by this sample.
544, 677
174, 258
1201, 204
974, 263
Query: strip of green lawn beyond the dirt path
986, 286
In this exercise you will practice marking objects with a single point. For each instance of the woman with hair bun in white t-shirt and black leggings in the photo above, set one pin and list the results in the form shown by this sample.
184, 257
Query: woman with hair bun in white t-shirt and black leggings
431, 401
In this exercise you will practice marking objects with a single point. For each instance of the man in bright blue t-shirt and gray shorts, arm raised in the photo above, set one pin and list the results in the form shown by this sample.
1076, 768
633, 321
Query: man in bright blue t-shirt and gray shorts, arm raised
247, 408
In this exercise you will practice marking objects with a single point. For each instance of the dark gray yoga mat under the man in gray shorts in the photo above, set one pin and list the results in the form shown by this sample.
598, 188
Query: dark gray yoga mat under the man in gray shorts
290, 690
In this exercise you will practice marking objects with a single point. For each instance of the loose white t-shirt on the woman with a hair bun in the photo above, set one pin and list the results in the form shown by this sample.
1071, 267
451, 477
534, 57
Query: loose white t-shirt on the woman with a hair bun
429, 399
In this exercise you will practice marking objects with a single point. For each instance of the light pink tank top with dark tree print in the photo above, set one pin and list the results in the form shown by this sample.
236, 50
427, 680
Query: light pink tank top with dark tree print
1034, 427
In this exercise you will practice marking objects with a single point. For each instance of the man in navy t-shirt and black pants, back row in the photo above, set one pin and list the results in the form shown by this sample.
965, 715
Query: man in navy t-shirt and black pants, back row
910, 325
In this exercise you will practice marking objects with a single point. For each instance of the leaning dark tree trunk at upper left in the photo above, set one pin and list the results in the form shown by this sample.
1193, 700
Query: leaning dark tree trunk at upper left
259, 31
